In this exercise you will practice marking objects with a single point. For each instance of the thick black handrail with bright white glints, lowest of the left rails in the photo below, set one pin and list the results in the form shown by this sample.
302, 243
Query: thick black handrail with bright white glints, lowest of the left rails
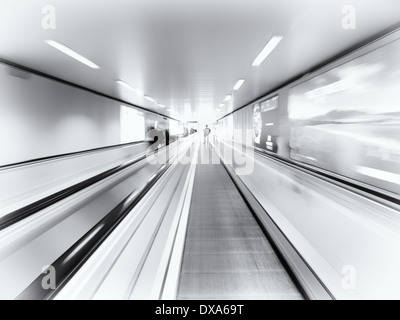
73, 259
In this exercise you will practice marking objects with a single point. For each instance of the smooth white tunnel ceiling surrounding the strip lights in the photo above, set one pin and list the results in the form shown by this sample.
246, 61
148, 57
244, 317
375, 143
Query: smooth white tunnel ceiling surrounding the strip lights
187, 54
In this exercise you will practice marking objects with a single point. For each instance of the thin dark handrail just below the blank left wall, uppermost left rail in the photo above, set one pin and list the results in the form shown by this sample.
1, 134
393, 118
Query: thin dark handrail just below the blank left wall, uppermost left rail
67, 155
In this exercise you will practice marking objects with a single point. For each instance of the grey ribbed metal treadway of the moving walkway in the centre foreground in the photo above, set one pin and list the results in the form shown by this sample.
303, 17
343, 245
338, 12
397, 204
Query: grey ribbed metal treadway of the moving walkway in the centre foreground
226, 254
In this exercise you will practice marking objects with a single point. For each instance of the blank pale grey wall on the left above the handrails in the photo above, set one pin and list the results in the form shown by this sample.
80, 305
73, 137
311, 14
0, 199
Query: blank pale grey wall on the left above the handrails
40, 117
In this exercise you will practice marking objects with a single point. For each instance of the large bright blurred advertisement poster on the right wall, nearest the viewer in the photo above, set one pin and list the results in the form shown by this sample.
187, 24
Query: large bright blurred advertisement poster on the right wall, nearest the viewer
347, 120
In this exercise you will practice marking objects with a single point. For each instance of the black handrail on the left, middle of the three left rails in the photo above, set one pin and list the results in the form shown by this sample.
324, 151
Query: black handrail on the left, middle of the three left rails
41, 204
